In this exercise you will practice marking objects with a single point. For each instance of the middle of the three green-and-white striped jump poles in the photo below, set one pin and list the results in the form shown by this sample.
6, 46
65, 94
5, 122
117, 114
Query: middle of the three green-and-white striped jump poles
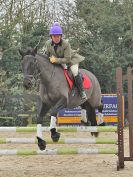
61, 141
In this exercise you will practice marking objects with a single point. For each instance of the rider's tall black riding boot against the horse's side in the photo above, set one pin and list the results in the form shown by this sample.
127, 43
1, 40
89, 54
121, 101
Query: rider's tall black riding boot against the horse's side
79, 85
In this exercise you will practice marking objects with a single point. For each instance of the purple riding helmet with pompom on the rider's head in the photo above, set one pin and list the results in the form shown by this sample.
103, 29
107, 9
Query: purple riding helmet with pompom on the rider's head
55, 29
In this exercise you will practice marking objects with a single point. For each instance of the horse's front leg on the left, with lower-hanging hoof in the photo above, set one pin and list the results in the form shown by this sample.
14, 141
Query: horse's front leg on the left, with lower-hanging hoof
43, 109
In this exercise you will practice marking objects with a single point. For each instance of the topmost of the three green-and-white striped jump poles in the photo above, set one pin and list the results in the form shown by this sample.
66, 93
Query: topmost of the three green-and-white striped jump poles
62, 129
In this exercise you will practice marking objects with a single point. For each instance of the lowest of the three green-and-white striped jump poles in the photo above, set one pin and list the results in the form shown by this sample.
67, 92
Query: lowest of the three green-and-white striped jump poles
59, 151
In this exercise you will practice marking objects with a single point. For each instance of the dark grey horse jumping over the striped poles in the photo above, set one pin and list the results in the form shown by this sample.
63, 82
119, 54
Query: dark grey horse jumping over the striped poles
55, 93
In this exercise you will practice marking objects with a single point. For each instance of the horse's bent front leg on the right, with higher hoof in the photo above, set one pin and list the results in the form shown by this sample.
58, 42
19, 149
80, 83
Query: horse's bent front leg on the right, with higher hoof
59, 105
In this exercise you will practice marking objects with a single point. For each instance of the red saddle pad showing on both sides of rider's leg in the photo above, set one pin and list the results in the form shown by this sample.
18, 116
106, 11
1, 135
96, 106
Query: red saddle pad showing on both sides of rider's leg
69, 77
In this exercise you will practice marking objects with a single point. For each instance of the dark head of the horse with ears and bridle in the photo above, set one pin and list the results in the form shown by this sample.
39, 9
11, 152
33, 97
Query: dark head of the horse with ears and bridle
29, 66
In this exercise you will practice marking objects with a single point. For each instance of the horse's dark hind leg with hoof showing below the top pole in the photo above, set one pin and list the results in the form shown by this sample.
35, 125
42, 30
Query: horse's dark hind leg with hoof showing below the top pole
91, 116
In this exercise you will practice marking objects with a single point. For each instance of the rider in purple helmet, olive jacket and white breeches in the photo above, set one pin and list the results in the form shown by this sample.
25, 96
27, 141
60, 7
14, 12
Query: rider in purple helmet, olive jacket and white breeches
59, 51
